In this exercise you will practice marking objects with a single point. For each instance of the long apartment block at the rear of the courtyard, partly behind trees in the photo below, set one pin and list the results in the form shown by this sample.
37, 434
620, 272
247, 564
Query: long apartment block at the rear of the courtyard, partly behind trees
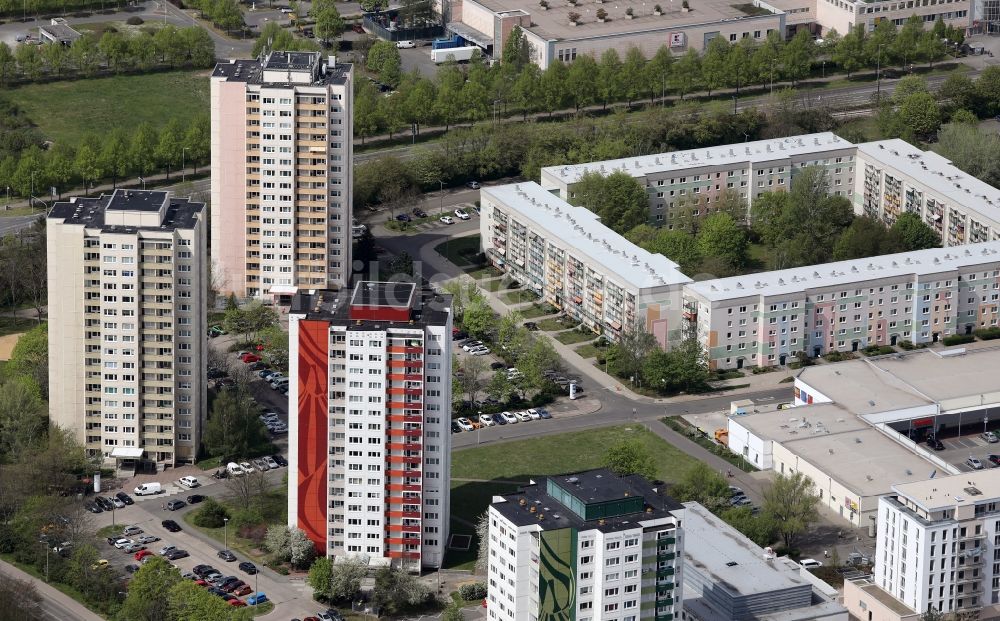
684, 185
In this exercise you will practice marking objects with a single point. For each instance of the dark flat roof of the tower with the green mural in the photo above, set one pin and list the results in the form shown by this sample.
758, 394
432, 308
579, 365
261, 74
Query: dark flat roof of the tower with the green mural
600, 485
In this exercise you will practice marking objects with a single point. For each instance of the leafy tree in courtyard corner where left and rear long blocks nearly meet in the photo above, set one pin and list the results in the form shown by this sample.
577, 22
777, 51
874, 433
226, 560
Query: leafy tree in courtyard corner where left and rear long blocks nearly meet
618, 199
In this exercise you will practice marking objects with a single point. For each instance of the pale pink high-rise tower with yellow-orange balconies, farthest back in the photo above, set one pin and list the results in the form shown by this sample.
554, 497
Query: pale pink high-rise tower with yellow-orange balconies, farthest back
281, 174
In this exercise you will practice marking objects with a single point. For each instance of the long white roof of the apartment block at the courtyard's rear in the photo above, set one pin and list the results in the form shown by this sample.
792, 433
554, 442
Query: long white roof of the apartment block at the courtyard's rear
728, 154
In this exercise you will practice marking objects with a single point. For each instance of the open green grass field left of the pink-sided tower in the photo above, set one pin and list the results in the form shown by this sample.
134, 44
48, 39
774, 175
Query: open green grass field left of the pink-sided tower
65, 111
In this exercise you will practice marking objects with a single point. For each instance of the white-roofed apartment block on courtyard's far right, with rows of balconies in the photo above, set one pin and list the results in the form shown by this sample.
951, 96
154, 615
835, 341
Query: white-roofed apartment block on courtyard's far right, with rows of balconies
894, 177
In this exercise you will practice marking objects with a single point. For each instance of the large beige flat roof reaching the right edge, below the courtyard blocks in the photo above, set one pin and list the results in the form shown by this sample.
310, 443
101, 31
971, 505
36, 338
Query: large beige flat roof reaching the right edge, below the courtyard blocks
895, 382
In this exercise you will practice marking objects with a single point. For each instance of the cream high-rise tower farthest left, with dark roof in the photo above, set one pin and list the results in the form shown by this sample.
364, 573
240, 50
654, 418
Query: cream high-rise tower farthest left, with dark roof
127, 280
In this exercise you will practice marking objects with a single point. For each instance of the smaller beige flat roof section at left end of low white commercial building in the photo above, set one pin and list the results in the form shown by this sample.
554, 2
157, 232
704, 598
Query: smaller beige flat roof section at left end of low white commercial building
801, 422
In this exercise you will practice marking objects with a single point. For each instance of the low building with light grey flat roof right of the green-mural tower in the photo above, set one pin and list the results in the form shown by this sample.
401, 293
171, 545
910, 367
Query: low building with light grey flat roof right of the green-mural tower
728, 577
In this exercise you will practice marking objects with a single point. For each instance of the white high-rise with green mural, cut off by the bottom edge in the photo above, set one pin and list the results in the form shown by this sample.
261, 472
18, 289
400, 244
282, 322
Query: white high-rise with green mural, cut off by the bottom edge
590, 546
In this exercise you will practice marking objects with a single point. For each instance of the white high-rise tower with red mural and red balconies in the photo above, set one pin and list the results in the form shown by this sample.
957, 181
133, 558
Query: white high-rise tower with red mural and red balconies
369, 439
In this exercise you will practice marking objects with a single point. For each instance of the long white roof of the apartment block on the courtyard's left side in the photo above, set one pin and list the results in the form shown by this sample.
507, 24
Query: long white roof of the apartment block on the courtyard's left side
581, 231
